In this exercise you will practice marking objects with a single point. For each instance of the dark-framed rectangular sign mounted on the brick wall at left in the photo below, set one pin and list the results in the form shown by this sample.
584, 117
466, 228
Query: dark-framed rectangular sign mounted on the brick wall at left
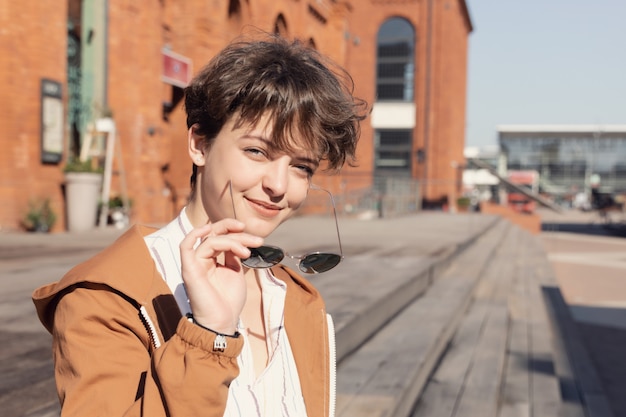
51, 122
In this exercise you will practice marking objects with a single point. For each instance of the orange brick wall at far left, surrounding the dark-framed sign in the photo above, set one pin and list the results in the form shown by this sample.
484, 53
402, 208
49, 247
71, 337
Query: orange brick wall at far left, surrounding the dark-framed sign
32, 44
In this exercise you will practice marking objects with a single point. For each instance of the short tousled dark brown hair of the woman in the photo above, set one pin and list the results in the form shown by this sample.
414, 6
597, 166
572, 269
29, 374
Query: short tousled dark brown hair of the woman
300, 89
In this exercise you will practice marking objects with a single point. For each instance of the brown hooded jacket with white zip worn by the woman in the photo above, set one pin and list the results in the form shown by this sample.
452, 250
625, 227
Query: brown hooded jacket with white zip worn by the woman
122, 348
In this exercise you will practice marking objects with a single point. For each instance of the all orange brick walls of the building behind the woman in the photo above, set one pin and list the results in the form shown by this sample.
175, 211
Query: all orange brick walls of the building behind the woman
156, 165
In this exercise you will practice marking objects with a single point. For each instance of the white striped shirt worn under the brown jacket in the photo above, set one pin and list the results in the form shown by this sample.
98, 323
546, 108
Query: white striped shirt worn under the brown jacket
277, 391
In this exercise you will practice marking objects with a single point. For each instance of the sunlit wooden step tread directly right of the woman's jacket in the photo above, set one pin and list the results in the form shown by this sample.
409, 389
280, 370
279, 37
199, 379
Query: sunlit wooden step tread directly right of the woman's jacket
386, 374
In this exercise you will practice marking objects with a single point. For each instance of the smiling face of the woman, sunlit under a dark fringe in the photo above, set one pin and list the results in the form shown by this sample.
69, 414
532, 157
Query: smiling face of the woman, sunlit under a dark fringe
267, 187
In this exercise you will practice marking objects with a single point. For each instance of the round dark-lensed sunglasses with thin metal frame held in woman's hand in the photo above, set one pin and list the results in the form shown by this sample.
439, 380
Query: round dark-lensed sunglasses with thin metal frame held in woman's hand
267, 256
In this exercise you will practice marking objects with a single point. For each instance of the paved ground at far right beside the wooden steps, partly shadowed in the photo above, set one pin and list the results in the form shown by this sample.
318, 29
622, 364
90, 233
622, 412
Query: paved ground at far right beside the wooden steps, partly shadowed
589, 261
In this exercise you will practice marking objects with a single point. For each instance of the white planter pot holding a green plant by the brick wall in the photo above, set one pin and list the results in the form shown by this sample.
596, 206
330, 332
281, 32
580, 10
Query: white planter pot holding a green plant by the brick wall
82, 192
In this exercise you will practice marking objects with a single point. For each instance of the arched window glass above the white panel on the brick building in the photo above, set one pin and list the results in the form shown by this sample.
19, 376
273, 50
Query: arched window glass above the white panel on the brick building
395, 57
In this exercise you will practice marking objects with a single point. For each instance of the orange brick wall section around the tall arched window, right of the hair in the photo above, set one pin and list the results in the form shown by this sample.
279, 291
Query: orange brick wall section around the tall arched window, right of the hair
440, 82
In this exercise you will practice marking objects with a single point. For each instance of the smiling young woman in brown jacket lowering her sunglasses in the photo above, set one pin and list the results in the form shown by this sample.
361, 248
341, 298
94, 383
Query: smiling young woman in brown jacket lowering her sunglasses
181, 321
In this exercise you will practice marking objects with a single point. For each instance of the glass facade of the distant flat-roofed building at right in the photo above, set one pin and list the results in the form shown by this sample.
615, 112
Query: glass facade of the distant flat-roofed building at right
567, 161
